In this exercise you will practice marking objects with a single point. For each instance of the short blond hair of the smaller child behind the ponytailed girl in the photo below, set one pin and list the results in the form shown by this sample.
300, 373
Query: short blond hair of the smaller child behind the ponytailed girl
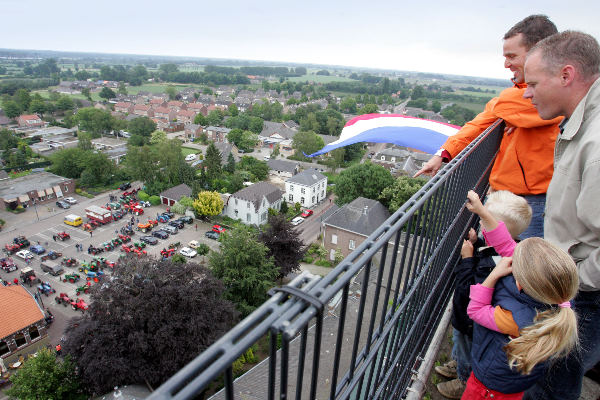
511, 209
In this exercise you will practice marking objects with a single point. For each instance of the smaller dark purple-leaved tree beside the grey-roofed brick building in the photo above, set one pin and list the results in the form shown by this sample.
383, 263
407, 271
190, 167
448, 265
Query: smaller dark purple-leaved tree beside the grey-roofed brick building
284, 244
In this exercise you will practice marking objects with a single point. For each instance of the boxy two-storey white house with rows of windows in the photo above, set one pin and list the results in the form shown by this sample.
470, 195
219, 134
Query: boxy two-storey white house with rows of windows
308, 188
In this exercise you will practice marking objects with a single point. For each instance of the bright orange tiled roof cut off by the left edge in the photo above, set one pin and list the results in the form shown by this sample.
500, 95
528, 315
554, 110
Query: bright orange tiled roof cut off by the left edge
18, 310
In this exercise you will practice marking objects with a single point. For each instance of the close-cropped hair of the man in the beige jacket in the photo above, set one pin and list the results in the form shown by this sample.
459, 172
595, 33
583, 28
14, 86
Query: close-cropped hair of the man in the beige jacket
571, 47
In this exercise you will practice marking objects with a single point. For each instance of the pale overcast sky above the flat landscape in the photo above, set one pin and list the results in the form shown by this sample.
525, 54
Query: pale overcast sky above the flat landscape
457, 37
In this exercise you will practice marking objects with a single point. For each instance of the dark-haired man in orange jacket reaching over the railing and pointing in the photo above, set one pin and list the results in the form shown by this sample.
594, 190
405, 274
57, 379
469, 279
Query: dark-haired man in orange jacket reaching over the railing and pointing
524, 164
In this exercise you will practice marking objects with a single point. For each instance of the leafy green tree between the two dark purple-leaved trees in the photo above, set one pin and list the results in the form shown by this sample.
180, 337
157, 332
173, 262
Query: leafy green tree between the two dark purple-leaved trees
245, 269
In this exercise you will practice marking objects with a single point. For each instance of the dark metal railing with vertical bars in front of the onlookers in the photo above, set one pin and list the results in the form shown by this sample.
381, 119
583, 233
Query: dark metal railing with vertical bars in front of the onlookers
361, 331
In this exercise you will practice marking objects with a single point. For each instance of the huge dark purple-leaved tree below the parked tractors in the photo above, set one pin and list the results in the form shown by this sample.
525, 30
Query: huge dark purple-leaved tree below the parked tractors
154, 316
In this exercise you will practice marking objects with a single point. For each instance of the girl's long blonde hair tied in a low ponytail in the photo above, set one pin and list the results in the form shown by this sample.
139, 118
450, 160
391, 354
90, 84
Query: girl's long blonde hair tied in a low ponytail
549, 275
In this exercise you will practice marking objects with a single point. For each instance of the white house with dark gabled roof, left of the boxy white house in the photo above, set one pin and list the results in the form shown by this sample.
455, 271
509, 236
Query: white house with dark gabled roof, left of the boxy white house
251, 204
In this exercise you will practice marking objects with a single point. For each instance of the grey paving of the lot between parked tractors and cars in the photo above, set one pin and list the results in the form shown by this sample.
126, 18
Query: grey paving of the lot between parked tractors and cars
43, 230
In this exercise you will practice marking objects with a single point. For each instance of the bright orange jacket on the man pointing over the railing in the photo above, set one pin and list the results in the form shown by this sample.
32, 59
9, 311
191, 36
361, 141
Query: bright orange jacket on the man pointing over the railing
524, 164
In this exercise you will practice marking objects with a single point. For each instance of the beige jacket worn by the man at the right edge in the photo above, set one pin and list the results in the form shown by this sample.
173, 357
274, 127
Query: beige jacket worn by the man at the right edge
572, 218
